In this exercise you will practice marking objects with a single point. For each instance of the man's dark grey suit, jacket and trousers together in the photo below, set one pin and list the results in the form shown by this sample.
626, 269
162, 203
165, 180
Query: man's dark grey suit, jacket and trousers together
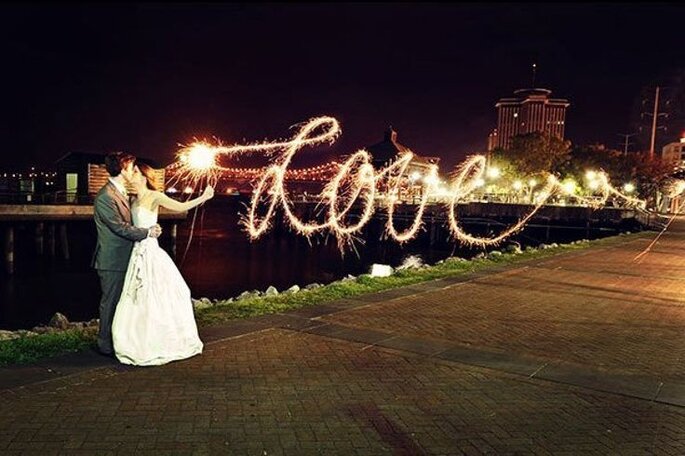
116, 235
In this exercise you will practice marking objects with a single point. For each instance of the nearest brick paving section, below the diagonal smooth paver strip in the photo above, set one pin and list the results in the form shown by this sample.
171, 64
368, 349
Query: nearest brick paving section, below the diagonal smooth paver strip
287, 392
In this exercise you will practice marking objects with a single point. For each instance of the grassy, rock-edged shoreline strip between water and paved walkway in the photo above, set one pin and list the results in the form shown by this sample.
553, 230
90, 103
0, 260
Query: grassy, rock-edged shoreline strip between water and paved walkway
61, 336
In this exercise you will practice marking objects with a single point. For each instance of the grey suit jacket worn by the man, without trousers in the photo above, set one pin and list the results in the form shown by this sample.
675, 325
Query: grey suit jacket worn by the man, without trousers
116, 232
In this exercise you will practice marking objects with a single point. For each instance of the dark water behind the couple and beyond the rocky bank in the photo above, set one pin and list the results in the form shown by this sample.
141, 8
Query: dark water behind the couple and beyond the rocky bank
221, 261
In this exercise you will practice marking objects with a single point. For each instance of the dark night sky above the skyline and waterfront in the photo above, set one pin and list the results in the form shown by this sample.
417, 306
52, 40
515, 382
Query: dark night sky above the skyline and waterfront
145, 78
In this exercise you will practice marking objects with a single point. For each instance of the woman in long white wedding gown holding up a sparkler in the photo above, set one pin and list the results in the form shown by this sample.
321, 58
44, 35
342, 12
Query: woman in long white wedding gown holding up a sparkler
154, 321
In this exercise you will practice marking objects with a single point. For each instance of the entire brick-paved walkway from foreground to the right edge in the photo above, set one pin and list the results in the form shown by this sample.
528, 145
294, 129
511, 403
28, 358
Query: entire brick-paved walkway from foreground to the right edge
575, 354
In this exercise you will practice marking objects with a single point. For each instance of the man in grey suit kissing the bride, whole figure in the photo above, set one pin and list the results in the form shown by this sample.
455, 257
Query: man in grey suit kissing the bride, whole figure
116, 235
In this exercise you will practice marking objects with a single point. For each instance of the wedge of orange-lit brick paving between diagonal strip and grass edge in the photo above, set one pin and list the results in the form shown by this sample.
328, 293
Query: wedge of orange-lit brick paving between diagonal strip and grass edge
597, 310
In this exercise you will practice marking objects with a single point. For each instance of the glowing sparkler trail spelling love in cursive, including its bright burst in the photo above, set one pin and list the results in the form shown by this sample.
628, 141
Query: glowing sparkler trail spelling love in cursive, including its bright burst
358, 184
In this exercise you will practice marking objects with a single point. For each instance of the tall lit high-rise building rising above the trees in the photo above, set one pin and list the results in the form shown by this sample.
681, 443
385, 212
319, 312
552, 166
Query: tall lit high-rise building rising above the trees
532, 110
